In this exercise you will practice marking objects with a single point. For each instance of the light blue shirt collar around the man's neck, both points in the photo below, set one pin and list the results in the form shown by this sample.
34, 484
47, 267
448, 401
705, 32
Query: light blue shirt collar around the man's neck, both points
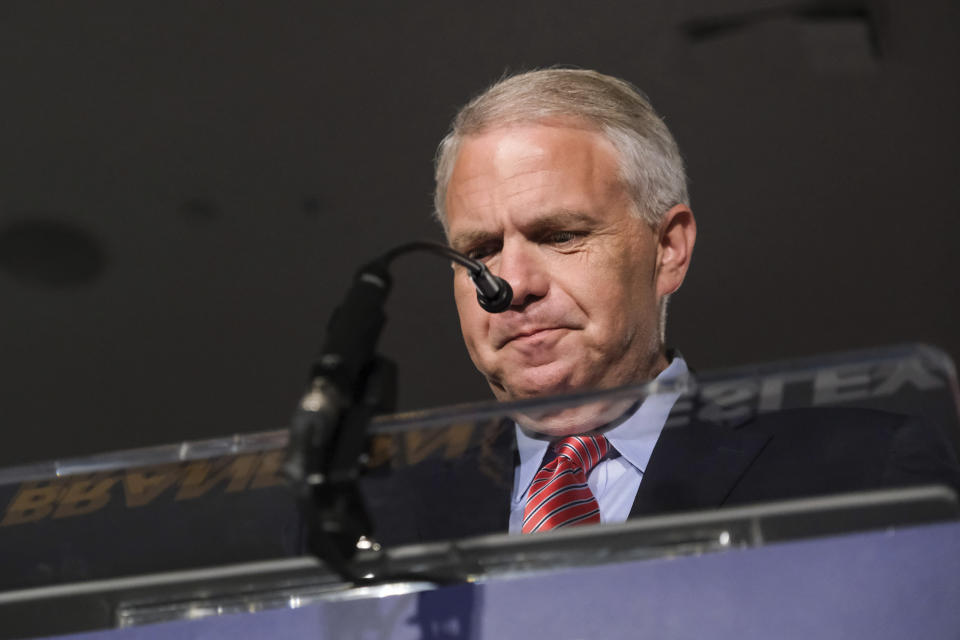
634, 438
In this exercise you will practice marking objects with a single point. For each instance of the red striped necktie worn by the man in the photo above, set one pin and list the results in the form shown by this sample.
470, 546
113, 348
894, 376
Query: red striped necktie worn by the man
559, 495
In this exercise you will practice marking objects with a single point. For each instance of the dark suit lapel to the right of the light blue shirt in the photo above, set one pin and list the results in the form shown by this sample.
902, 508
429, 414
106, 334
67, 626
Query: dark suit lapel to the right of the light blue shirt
695, 466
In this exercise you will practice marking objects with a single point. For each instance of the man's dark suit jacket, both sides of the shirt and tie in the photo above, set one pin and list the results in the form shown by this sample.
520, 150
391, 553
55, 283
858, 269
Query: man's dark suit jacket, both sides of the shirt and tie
700, 465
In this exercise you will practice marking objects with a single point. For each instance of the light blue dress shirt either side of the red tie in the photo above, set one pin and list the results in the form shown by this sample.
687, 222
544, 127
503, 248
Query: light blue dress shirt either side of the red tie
616, 479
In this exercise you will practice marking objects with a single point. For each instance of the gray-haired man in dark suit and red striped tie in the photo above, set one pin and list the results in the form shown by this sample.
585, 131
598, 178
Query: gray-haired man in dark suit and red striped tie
567, 184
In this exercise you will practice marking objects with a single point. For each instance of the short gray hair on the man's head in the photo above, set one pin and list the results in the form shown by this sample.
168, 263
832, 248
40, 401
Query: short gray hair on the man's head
650, 163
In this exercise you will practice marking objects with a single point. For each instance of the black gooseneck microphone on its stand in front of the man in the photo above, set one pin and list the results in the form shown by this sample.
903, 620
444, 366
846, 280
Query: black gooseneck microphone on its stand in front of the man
350, 384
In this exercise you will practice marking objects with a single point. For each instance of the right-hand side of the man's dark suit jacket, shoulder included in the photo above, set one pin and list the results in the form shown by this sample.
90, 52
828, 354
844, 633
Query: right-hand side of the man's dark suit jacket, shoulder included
791, 454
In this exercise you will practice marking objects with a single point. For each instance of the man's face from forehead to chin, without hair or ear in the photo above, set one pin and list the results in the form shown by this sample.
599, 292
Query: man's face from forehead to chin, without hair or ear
543, 207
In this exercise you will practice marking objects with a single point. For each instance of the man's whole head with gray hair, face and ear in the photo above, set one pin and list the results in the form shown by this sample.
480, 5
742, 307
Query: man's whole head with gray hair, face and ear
583, 210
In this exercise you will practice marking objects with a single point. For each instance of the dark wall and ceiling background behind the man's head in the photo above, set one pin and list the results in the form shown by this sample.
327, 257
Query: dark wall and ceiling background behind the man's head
186, 187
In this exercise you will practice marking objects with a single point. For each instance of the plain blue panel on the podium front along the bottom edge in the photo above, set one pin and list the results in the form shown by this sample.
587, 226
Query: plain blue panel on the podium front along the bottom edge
902, 583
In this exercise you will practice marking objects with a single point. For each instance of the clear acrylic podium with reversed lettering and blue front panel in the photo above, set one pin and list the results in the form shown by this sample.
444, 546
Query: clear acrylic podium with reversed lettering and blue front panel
203, 539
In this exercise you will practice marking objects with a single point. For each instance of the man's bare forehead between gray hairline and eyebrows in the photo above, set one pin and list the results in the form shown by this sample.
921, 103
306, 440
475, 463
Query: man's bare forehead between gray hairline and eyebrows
526, 170
